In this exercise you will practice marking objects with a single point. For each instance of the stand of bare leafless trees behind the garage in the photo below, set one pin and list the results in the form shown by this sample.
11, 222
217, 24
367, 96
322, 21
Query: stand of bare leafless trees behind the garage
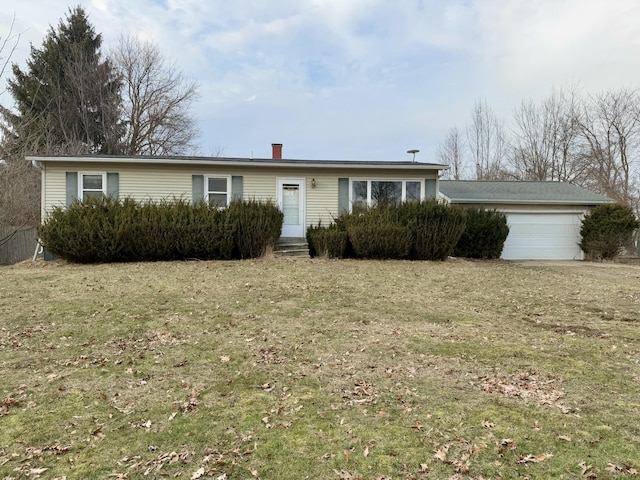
591, 141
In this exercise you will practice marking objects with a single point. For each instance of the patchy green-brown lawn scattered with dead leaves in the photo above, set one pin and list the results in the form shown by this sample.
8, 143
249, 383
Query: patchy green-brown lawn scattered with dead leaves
282, 368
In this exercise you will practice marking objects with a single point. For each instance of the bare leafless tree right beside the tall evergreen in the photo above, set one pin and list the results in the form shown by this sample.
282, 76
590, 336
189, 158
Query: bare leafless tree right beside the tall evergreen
157, 100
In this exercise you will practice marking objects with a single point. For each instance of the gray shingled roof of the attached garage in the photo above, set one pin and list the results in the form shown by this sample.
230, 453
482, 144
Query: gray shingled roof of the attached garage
466, 191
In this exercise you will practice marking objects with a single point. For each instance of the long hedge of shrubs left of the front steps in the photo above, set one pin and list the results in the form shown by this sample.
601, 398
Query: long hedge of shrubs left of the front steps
102, 230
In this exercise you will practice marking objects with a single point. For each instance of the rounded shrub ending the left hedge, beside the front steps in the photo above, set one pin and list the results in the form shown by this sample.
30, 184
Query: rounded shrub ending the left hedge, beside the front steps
256, 226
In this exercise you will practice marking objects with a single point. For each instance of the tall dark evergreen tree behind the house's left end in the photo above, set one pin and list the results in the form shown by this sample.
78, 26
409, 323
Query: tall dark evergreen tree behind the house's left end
67, 101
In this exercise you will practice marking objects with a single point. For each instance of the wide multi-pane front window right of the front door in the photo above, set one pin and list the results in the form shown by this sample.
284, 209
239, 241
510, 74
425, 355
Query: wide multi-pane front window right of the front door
370, 192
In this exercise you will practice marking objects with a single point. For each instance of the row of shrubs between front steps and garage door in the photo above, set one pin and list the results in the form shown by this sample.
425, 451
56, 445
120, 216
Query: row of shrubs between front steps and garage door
427, 230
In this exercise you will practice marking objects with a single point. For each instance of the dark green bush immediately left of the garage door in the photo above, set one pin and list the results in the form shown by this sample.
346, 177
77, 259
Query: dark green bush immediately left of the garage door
484, 234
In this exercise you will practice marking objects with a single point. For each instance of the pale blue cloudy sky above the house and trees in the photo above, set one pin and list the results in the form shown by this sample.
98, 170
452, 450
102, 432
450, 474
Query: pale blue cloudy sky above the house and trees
359, 79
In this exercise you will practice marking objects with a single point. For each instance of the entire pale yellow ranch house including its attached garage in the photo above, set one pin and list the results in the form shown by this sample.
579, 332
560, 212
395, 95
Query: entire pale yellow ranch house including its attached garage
544, 217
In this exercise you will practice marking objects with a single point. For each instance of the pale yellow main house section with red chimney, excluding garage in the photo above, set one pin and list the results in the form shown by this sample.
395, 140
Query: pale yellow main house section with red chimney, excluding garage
307, 191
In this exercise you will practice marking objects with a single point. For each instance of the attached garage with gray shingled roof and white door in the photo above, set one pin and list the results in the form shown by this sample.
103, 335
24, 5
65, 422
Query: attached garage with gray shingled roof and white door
544, 217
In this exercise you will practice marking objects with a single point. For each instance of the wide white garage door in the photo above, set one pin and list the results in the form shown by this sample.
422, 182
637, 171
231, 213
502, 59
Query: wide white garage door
543, 236
